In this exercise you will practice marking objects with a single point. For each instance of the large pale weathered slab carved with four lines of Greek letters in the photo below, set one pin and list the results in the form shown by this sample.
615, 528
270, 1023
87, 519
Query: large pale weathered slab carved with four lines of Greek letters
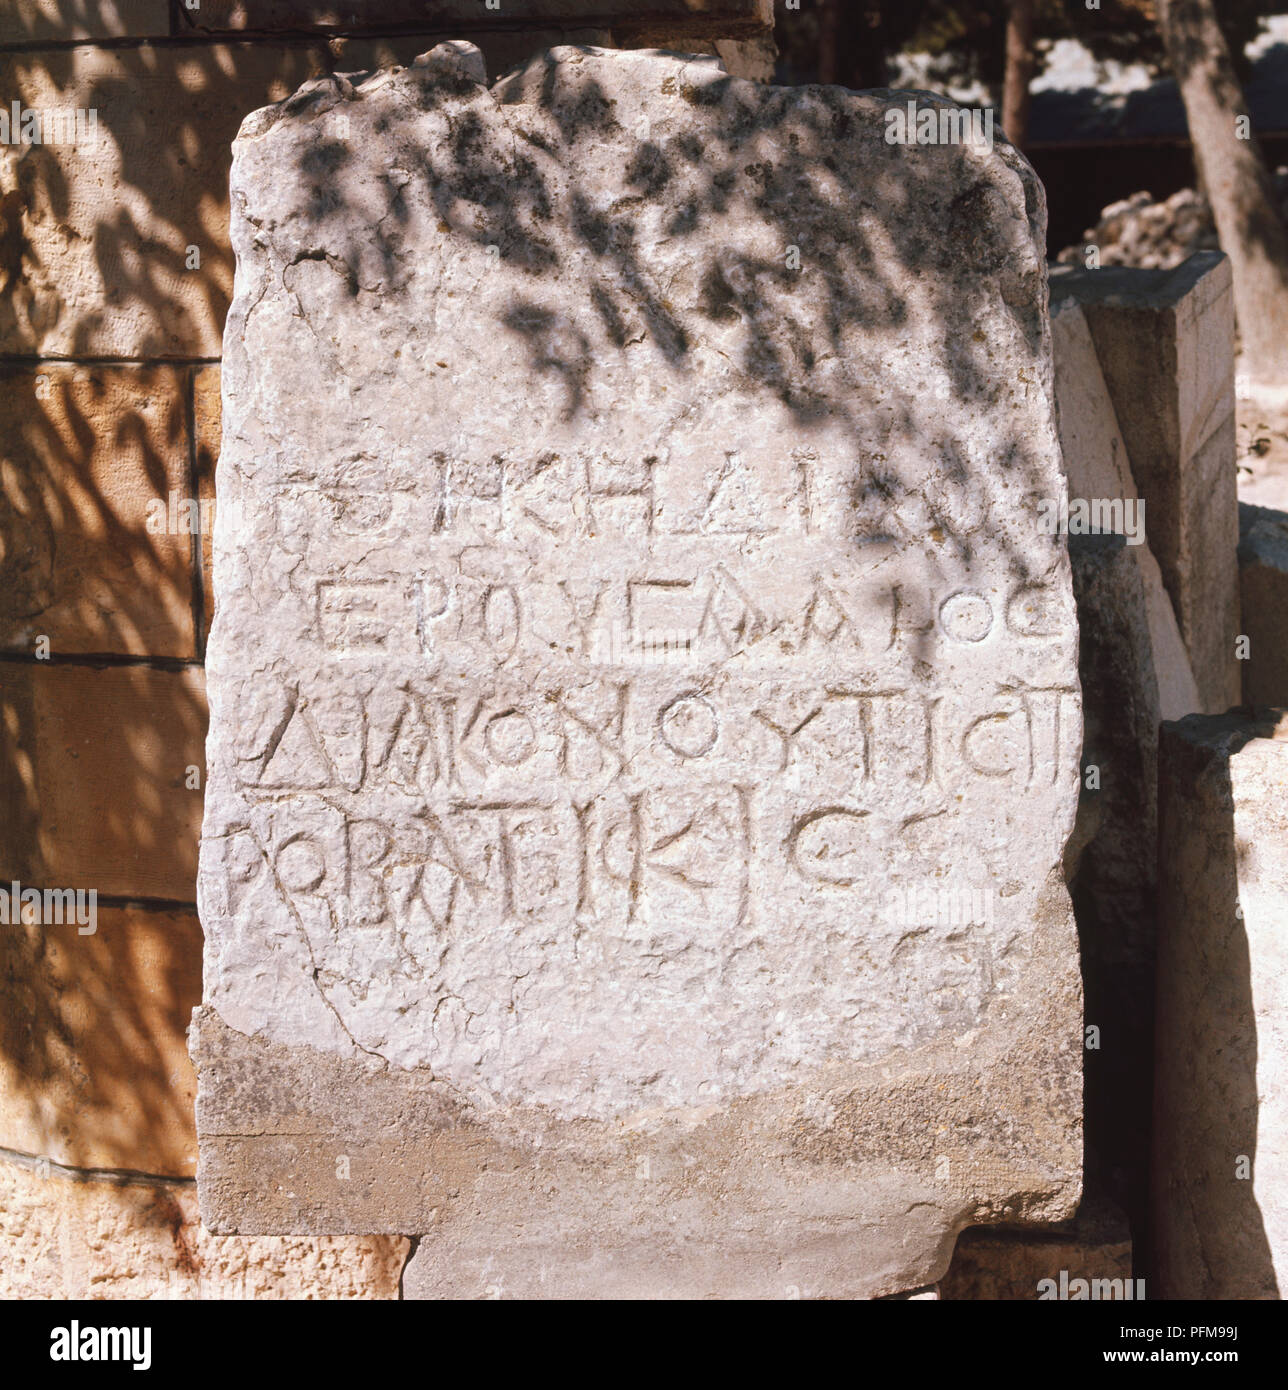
630, 616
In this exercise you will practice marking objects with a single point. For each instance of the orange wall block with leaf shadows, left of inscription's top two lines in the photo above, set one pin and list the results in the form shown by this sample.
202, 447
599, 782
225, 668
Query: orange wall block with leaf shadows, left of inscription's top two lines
88, 452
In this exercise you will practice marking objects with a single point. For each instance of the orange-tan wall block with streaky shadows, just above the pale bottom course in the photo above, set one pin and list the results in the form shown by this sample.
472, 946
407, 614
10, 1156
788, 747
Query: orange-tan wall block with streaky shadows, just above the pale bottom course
94, 1056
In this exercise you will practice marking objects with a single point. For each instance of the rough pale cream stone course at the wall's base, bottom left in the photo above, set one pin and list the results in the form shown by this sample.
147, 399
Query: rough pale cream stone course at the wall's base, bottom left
69, 1239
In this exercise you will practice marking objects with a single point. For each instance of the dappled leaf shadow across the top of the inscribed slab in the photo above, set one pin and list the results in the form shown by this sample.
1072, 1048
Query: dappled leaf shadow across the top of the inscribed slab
793, 325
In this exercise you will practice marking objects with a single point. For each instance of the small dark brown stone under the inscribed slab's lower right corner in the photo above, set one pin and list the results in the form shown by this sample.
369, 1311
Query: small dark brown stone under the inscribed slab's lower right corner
1011, 1266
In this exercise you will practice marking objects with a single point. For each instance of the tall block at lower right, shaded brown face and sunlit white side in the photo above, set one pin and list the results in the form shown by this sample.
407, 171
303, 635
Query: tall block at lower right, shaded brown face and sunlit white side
1221, 1156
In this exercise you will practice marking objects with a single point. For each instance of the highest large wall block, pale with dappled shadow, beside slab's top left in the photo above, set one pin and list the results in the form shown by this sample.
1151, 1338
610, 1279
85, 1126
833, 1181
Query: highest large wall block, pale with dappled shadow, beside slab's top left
98, 255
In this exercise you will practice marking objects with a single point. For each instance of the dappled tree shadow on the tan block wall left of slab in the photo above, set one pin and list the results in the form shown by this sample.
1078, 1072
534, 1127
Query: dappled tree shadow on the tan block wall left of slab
52, 982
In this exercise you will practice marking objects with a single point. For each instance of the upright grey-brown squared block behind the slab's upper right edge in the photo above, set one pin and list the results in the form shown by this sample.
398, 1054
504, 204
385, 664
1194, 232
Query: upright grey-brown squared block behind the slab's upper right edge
1166, 347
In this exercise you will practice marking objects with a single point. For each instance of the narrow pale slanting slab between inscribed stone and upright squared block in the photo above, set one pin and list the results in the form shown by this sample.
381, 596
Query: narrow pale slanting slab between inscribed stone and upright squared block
1098, 468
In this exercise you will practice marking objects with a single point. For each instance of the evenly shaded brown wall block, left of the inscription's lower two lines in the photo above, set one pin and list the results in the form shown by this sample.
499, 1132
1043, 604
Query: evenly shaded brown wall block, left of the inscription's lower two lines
98, 762
